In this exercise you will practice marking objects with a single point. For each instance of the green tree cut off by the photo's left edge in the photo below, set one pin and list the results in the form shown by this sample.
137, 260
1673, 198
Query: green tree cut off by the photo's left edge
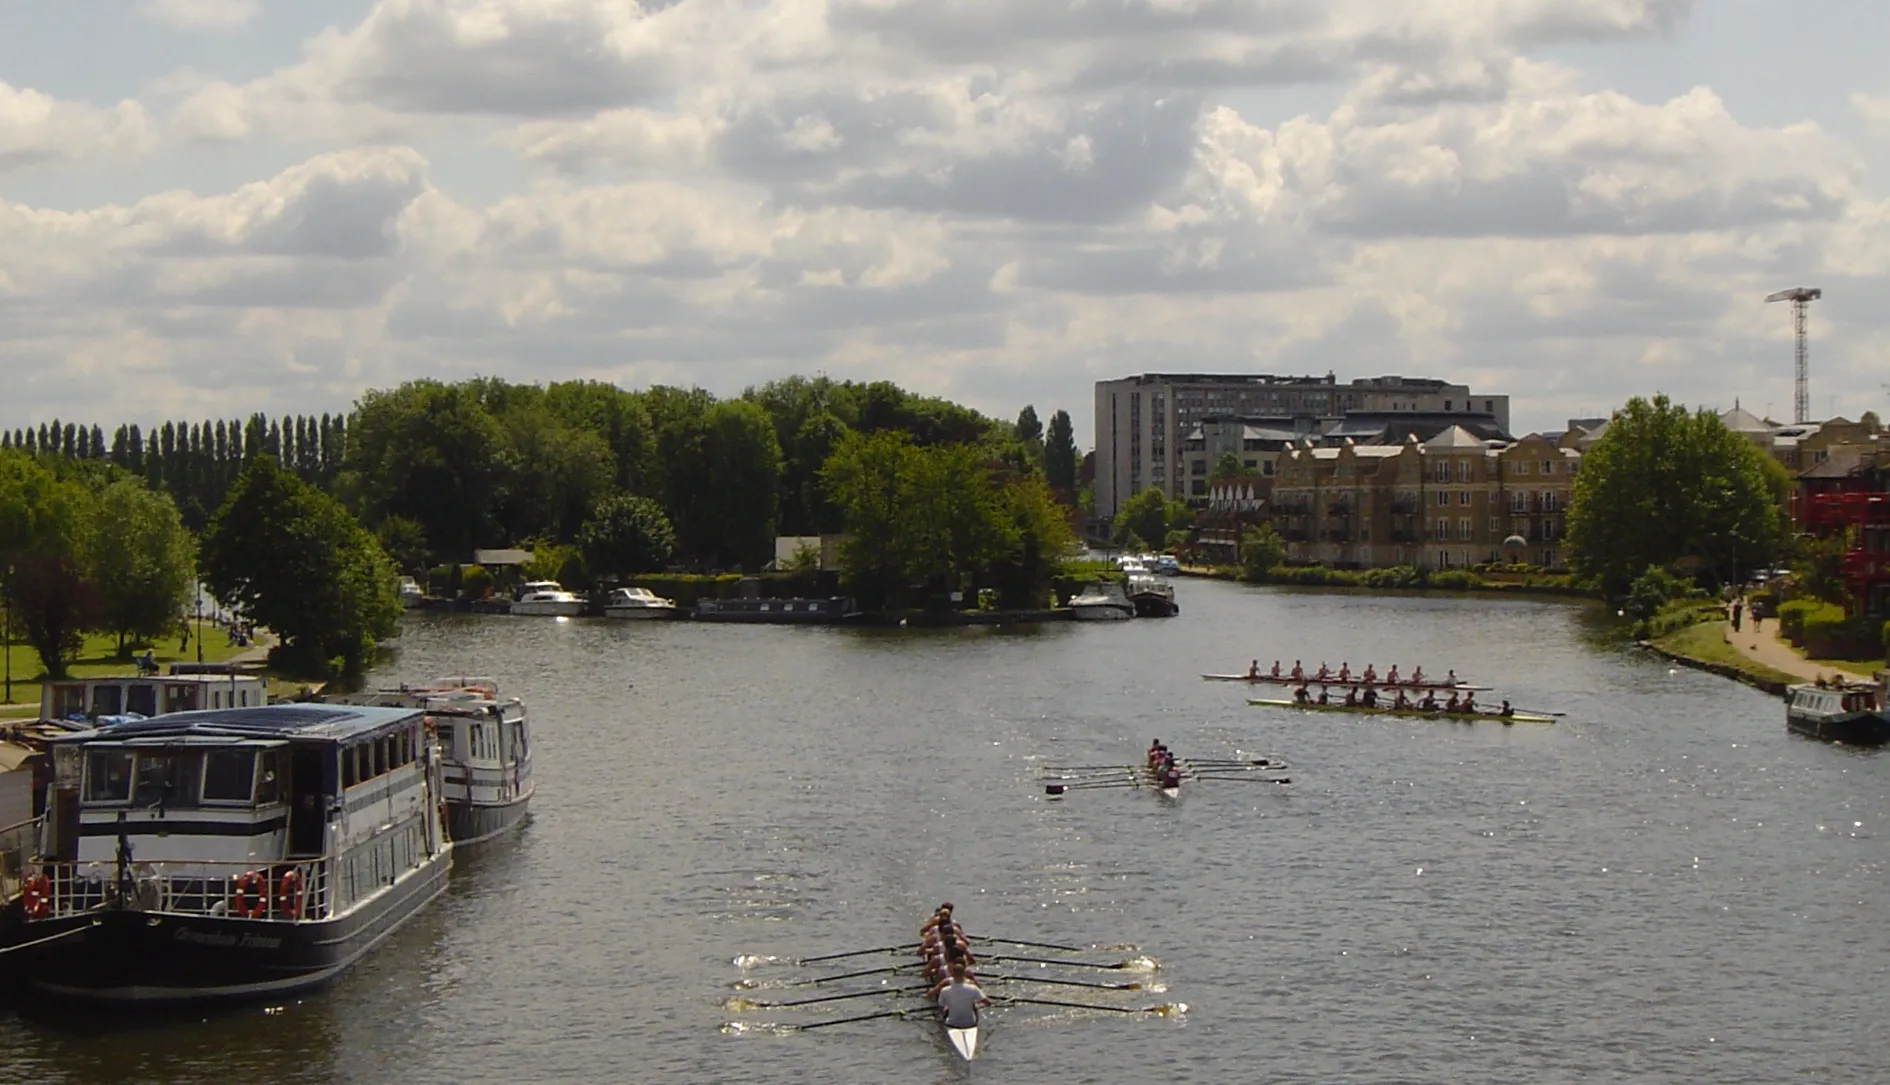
46, 534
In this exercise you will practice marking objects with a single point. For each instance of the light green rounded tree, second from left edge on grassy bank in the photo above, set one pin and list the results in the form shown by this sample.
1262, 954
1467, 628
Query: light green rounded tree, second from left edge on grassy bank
143, 562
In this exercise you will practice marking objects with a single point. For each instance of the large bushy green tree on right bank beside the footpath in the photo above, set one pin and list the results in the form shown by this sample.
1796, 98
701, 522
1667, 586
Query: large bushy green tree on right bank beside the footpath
1666, 485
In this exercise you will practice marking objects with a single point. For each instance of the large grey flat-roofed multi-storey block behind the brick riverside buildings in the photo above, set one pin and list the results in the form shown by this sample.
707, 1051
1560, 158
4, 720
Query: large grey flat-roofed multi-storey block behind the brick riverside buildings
1167, 430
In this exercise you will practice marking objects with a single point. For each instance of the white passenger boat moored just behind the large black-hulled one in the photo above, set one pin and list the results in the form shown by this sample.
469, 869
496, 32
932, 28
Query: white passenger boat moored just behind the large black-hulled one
485, 749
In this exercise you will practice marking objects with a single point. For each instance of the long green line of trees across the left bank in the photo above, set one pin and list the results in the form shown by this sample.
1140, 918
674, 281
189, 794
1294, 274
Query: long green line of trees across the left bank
303, 523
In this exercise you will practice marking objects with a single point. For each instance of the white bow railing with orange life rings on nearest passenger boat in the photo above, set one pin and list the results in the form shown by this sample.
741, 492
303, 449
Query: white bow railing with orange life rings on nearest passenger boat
275, 891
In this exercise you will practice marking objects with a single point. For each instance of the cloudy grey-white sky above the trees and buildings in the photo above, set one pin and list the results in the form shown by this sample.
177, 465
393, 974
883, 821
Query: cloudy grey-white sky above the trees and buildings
218, 207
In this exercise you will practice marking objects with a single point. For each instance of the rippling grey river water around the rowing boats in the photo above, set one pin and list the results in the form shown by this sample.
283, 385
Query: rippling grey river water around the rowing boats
1660, 887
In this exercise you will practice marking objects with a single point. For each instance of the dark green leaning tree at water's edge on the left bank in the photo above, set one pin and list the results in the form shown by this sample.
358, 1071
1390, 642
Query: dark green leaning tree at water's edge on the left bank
294, 560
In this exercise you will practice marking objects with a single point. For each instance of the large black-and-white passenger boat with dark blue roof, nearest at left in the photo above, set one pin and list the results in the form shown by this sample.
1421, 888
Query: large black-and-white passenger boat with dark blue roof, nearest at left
235, 853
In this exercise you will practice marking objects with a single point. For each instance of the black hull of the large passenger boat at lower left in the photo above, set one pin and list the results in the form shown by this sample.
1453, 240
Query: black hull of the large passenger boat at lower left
169, 959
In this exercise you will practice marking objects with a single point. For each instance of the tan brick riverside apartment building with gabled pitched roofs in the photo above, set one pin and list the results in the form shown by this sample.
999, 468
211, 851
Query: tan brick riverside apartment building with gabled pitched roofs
1451, 502
